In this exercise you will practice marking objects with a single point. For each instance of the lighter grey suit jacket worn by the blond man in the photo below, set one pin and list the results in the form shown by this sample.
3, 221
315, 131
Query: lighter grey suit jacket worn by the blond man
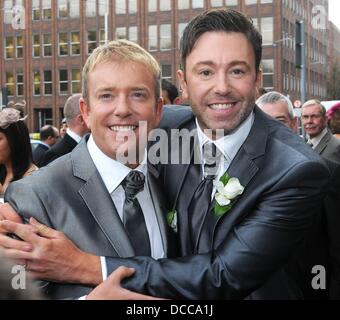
70, 196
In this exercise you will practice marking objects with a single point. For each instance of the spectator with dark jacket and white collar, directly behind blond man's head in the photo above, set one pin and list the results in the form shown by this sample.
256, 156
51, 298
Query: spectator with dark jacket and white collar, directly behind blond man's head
76, 129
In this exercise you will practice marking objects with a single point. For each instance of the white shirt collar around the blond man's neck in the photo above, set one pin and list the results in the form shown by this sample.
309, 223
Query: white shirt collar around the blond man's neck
111, 171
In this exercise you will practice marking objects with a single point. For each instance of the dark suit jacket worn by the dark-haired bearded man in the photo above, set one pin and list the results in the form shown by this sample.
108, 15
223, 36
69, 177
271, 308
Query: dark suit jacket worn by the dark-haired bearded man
263, 233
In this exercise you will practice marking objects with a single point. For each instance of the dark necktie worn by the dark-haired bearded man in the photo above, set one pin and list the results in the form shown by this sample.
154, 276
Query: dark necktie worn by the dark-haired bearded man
200, 202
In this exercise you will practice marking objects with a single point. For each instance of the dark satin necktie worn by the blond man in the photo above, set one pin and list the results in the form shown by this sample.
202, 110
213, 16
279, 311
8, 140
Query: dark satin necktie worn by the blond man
133, 217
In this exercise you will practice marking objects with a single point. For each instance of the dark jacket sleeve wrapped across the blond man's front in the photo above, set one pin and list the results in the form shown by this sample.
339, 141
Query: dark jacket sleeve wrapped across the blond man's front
257, 247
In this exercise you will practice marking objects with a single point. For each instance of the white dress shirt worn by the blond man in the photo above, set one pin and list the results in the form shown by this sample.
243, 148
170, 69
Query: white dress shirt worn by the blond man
113, 173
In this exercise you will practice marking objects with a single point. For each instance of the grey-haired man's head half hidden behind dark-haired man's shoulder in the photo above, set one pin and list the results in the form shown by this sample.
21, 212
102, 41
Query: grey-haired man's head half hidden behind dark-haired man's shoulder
279, 107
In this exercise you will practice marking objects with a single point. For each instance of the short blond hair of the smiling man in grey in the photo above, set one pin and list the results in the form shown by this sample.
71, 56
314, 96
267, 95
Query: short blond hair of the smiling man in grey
124, 51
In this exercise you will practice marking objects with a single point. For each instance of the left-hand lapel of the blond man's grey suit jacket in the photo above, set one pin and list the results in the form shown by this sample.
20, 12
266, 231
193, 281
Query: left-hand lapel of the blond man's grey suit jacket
99, 202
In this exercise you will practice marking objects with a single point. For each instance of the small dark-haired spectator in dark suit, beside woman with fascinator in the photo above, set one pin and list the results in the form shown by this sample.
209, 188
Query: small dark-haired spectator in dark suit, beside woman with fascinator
49, 136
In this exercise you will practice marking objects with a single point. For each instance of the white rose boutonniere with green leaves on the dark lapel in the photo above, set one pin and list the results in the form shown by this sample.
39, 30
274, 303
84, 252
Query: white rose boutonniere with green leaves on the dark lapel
227, 189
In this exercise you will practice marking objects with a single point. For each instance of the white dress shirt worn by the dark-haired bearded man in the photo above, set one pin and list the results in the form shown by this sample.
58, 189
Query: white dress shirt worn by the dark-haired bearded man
228, 145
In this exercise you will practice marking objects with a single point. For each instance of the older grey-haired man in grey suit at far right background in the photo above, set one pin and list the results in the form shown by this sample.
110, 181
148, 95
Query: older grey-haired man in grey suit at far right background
314, 121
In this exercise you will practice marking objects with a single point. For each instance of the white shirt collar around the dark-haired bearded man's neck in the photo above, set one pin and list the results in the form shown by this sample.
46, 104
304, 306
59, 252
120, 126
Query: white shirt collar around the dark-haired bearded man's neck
231, 143
